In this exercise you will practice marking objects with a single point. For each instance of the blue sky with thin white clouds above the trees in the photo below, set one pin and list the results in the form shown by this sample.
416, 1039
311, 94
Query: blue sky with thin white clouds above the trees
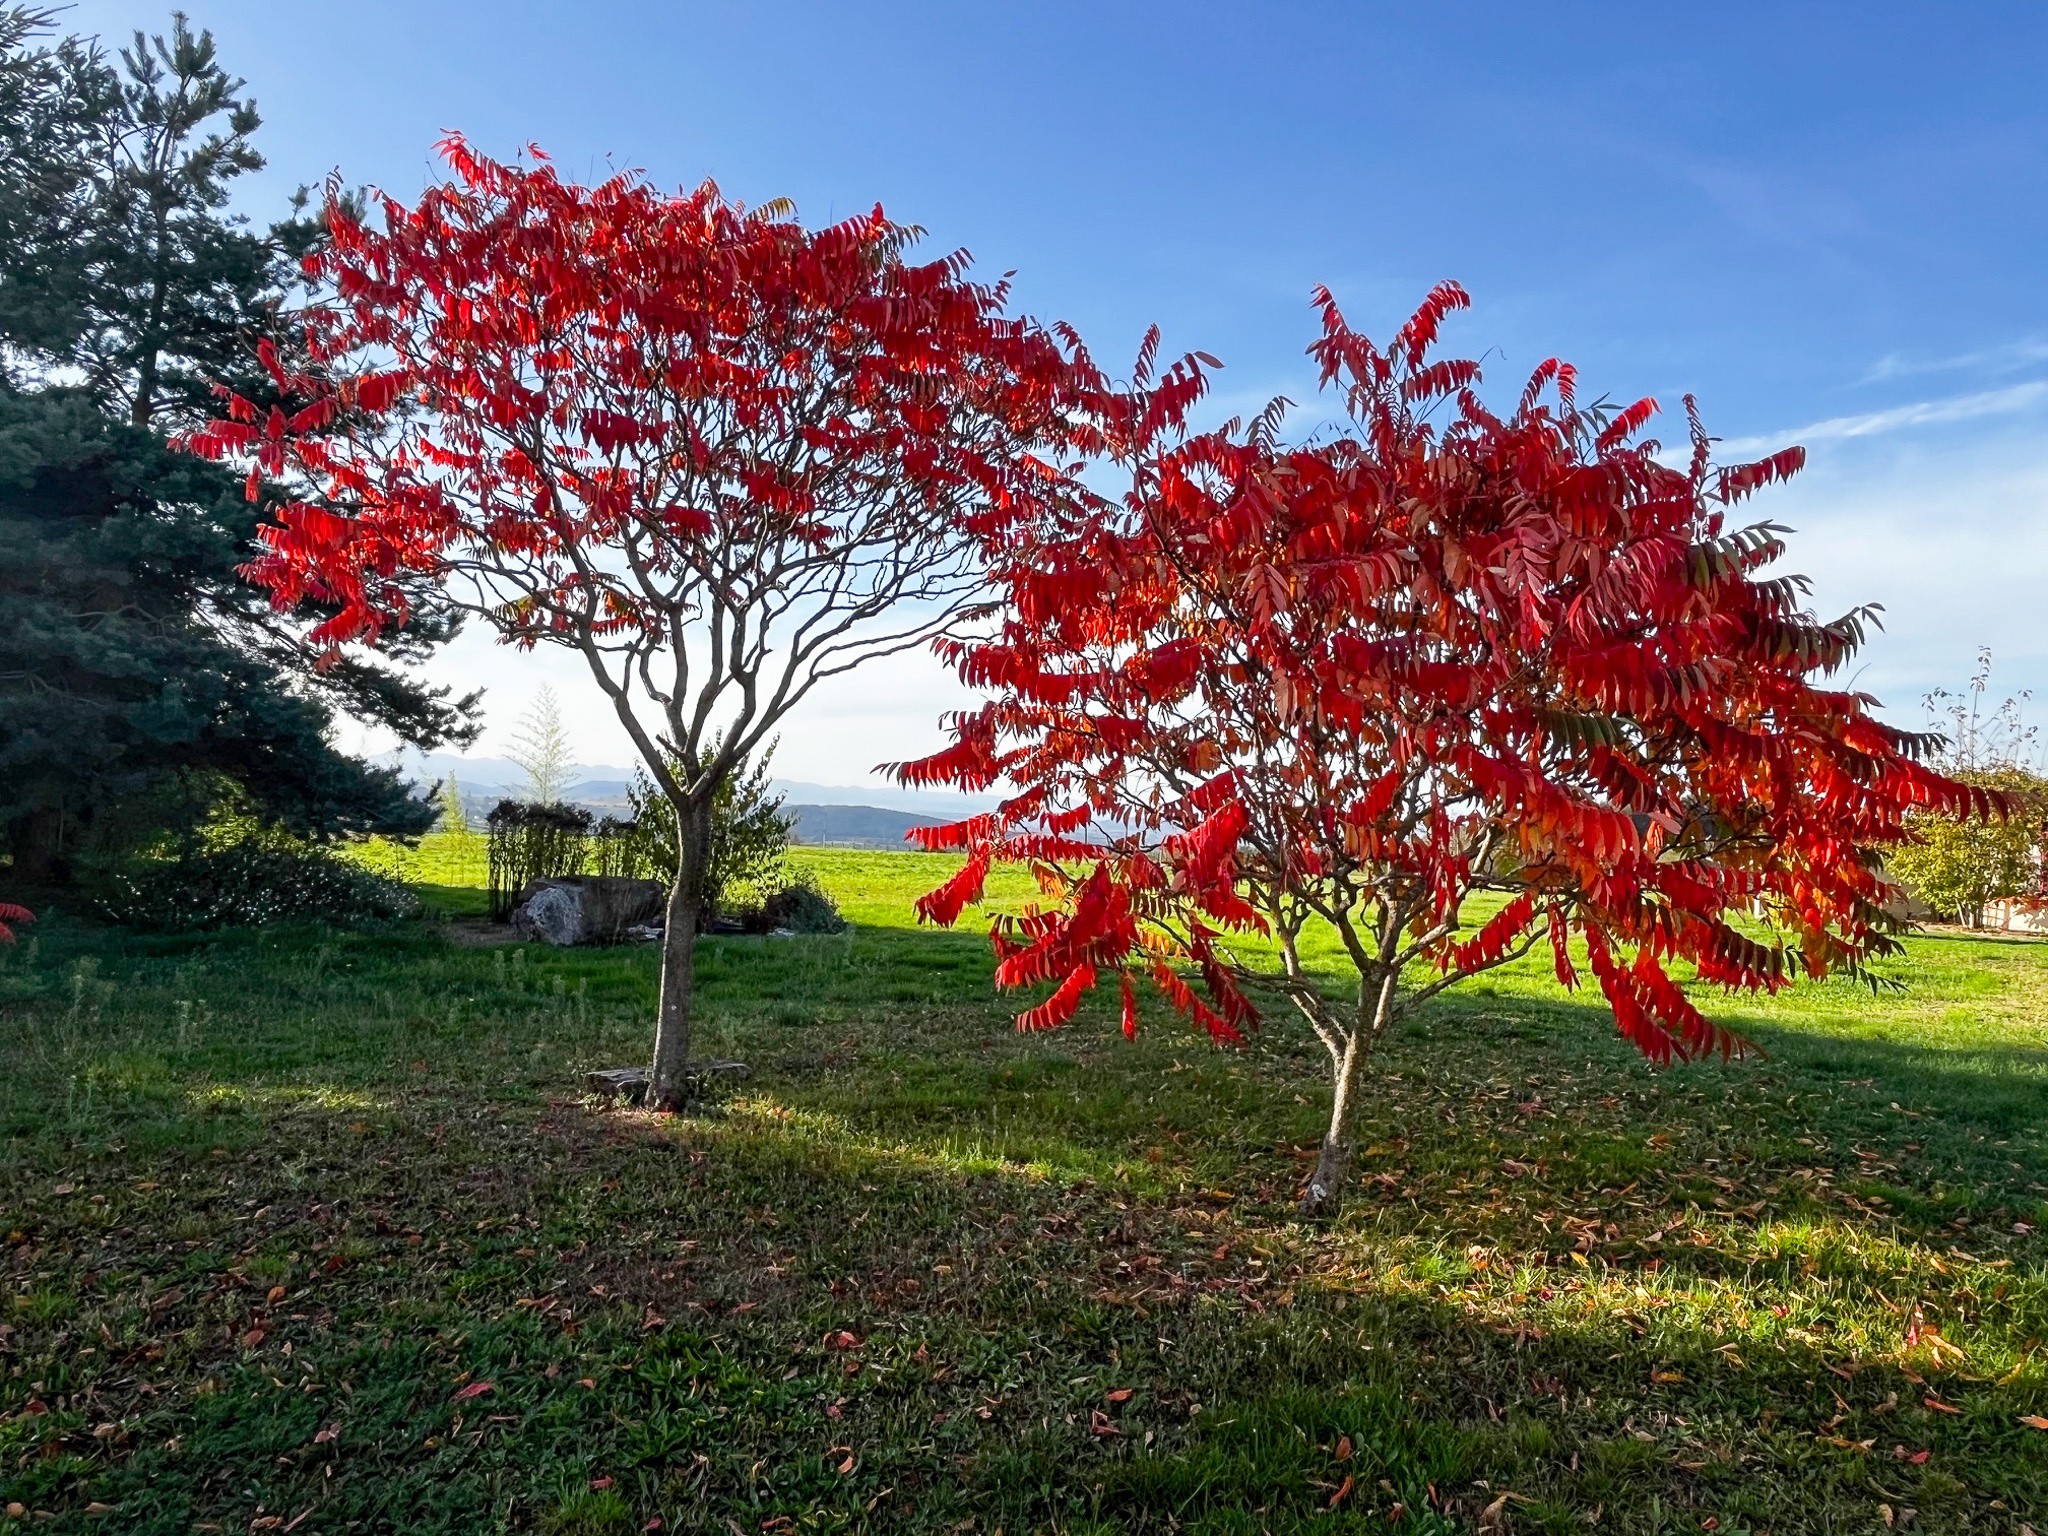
1828, 222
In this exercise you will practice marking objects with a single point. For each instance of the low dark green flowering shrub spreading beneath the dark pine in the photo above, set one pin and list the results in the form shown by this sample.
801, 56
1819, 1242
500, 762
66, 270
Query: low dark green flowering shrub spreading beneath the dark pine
261, 880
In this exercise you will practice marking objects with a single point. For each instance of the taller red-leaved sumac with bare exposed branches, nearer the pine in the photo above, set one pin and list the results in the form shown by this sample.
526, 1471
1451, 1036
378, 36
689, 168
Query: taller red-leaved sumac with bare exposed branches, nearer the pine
718, 456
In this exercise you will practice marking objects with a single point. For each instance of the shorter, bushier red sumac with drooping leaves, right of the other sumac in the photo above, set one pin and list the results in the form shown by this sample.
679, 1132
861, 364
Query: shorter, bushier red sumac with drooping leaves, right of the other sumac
1451, 685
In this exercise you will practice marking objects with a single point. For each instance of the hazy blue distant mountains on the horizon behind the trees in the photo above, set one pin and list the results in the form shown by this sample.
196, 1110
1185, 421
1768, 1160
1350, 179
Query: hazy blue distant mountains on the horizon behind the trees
837, 816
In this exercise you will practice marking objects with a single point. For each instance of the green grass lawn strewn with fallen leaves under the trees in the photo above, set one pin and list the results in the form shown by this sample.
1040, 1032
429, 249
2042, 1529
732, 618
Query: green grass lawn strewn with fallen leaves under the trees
314, 1232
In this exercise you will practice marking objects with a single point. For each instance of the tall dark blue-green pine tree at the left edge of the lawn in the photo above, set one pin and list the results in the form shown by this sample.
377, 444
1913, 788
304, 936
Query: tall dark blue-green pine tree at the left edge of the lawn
142, 683
